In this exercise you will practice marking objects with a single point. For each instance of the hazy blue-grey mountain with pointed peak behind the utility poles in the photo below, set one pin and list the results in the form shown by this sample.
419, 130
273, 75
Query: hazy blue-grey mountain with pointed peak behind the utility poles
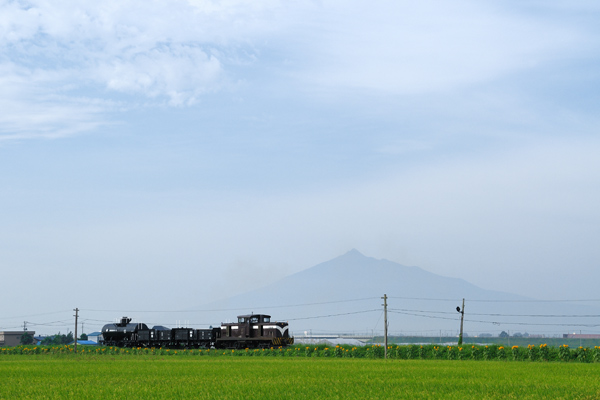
344, 295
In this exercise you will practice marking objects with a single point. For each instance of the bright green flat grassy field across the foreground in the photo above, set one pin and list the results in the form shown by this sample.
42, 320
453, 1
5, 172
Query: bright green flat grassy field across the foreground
143, 377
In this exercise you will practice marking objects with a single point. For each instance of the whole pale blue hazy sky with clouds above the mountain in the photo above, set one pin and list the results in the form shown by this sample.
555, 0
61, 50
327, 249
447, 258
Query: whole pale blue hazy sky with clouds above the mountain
199, 148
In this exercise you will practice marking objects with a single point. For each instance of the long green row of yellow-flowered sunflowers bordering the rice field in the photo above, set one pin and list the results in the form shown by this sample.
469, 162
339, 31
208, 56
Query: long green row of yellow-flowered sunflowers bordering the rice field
541, 353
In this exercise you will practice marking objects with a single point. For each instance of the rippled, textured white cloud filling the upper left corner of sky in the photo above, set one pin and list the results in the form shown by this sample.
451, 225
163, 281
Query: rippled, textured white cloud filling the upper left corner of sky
60, 59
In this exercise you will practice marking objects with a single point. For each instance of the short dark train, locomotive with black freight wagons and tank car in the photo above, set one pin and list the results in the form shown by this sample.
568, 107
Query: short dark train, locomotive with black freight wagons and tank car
251, 331
